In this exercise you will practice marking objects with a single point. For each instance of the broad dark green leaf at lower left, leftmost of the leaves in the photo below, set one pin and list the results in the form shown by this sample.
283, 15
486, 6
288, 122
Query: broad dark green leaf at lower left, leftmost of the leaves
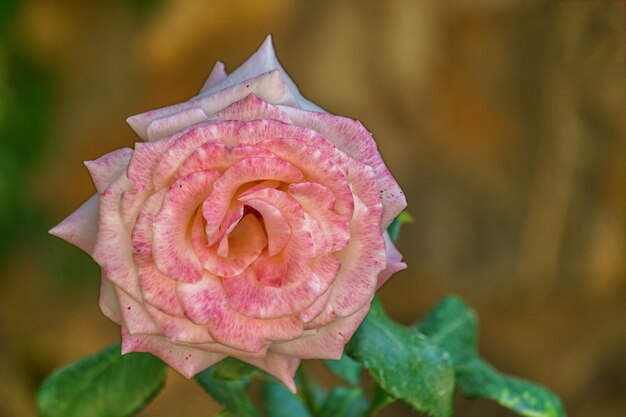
105, 384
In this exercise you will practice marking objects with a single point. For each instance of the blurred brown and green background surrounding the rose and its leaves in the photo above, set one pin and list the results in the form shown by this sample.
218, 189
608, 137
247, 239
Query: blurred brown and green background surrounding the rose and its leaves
502, 120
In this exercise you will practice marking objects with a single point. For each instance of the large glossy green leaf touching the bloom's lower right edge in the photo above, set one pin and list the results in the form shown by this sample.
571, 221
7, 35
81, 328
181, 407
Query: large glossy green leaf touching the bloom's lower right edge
405, 363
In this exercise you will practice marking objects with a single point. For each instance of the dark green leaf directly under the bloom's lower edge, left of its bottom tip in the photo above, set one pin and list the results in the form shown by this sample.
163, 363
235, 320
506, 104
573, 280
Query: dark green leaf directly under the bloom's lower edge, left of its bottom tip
231, 394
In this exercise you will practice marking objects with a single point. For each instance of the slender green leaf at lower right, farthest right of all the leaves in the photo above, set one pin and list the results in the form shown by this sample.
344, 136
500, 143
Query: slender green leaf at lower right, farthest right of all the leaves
479, 379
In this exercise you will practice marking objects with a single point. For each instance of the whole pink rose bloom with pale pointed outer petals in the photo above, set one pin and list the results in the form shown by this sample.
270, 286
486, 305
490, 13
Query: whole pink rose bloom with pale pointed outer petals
248, 223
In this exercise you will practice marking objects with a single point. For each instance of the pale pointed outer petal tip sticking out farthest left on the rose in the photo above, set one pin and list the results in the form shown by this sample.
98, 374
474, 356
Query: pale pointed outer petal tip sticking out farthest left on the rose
81, 227
